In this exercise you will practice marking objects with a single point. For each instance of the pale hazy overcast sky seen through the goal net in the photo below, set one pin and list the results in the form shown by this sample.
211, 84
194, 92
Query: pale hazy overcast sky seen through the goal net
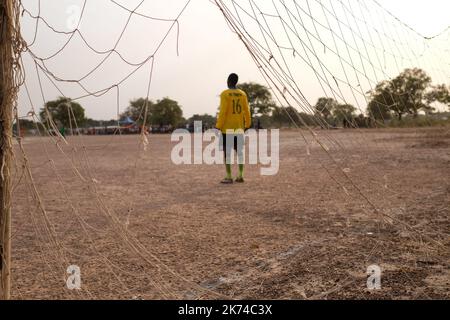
208, 51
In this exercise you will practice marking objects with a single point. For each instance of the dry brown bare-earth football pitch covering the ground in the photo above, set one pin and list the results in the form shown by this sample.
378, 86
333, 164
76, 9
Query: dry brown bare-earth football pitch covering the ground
308, 232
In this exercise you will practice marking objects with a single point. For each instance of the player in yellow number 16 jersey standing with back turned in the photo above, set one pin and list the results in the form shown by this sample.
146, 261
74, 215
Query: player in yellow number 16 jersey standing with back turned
234, 118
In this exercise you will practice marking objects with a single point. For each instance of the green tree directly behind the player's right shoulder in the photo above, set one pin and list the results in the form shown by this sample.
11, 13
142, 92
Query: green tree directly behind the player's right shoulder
259, 98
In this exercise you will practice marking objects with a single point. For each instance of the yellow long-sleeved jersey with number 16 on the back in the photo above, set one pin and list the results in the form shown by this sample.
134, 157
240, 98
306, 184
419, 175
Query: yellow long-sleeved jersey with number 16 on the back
234, 111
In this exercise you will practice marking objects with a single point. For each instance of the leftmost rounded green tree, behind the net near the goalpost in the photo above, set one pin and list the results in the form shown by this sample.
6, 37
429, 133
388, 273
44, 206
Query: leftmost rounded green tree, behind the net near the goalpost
63, 112
